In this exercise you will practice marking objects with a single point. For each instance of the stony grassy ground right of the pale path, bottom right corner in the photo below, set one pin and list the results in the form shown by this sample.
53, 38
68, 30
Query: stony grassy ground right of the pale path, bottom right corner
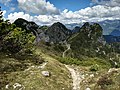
101, 80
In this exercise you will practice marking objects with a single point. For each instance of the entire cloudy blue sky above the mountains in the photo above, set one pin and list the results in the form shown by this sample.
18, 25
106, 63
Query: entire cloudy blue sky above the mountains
65, 11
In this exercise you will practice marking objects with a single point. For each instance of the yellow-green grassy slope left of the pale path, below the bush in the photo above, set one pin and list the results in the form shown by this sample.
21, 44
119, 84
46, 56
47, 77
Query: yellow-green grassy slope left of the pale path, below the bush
31, 78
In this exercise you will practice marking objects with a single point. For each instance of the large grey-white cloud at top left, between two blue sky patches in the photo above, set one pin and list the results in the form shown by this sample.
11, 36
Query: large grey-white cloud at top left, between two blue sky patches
37, 6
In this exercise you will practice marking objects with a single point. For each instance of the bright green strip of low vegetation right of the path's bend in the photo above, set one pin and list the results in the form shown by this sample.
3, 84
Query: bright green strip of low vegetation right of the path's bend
94, 63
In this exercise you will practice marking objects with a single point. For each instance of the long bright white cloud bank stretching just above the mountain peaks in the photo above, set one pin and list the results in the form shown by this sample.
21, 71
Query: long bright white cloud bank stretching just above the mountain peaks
89, 14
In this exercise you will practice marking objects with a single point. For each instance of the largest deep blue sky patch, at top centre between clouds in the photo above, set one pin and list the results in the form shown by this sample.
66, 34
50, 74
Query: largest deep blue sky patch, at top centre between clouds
72, 5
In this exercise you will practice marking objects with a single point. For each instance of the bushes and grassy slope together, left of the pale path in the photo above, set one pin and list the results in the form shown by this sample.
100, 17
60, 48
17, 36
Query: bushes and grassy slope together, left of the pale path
21, 61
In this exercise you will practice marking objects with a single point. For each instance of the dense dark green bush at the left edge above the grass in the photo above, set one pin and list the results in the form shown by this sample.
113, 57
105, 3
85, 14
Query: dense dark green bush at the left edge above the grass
14, 39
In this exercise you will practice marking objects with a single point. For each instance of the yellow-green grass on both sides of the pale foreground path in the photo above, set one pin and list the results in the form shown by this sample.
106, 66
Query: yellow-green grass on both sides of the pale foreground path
30, 77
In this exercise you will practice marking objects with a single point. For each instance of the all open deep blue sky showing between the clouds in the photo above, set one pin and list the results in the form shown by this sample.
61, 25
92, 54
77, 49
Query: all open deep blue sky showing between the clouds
71, 5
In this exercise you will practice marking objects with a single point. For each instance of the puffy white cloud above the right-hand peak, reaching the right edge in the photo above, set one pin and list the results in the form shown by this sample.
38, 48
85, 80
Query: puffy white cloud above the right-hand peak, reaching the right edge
93, 14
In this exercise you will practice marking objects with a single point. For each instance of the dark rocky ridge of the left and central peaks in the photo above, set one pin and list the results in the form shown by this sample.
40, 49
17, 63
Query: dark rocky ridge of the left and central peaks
56, 33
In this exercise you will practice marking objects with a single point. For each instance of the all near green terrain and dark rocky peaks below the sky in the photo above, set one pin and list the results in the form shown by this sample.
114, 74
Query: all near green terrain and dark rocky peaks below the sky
21, 60
